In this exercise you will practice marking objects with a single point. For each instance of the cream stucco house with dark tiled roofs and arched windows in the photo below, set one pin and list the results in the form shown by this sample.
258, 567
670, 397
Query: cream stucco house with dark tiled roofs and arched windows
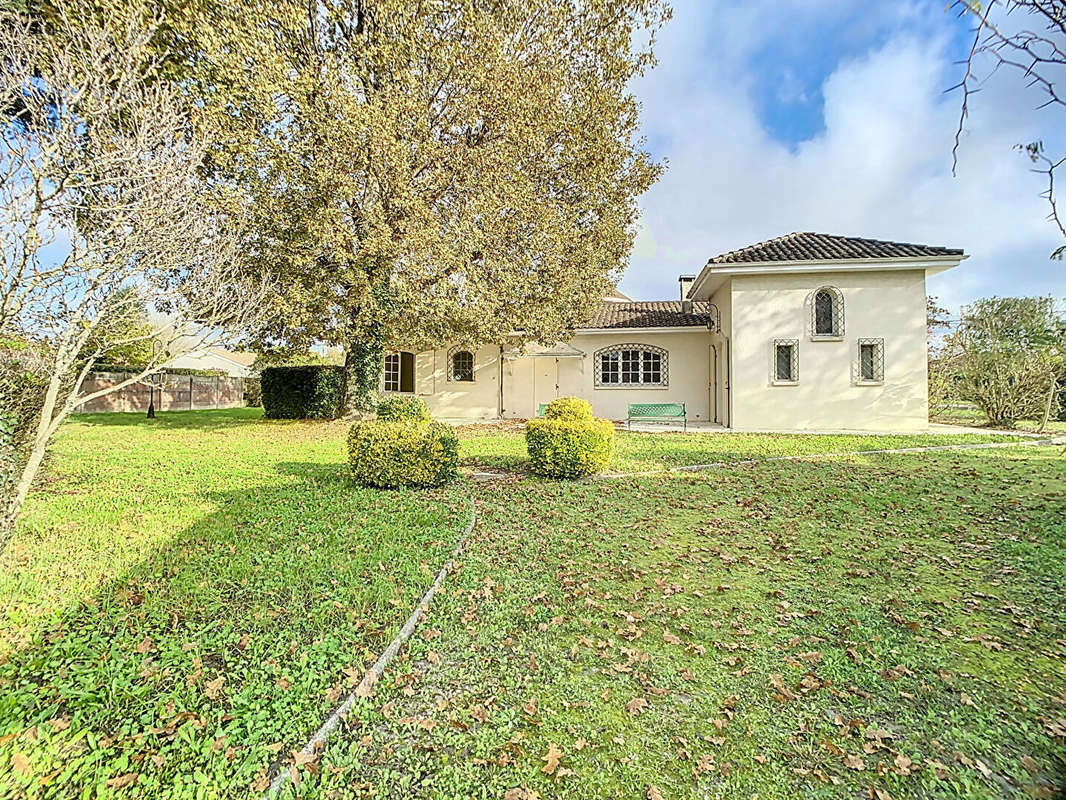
803, 332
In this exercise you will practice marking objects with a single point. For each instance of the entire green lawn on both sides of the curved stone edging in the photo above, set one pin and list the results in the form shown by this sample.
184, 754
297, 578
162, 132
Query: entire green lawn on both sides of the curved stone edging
186, 600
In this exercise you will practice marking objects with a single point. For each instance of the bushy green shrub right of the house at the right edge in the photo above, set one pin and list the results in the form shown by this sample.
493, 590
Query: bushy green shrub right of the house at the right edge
1010, 355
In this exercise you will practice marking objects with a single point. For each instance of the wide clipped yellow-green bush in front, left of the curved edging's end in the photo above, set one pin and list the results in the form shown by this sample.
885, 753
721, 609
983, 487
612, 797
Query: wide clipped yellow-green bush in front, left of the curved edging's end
389, 454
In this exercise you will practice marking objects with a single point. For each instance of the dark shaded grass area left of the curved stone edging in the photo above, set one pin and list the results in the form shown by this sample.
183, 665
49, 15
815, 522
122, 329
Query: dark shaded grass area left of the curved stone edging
215, 653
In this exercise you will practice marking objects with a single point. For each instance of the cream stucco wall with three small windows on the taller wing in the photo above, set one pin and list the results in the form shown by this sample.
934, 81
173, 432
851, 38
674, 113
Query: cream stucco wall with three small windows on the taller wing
889, 306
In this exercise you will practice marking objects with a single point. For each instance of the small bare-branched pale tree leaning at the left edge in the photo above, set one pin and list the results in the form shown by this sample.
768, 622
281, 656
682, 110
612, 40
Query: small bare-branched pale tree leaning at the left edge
103, 216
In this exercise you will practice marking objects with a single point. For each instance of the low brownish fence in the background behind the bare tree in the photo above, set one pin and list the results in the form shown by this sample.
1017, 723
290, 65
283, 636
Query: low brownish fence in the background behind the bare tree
182, 393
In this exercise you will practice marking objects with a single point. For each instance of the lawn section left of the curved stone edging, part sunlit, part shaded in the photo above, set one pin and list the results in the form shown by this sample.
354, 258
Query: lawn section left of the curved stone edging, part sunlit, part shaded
185, 597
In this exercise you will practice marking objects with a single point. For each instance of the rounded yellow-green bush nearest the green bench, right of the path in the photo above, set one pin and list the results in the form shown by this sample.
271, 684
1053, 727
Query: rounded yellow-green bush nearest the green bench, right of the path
569, 449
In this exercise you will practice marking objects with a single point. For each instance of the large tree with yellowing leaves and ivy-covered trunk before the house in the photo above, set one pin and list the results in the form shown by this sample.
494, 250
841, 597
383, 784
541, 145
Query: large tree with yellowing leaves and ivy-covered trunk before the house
426, 171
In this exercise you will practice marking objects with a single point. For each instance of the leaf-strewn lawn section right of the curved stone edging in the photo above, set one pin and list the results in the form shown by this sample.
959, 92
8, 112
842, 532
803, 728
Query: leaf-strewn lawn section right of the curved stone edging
882, 627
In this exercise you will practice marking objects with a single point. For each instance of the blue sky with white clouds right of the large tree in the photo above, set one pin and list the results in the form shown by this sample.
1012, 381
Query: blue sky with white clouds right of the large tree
833, 116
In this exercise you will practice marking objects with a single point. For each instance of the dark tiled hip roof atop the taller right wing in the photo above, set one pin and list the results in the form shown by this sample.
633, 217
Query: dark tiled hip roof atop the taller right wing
810, 247
